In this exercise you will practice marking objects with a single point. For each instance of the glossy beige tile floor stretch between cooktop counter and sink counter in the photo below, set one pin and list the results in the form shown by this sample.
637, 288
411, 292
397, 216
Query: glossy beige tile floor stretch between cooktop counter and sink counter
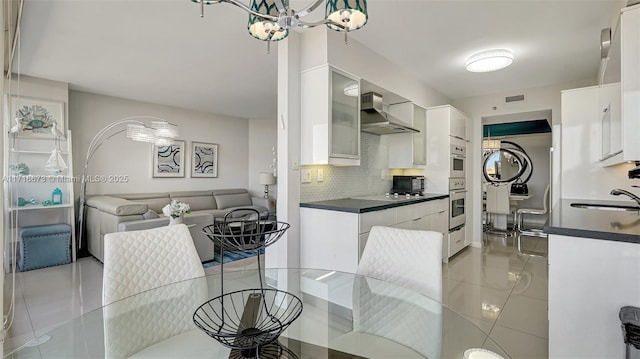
503, 293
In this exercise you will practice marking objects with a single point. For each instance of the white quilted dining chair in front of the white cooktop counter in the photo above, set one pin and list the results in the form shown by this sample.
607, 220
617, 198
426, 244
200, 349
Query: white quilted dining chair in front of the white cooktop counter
384, 323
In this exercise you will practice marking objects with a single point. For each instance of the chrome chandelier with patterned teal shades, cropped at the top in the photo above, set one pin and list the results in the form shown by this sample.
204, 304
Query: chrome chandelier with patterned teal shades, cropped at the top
270, 20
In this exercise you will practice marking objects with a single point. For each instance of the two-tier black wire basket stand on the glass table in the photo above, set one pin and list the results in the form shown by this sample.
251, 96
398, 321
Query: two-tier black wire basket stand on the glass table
248, 321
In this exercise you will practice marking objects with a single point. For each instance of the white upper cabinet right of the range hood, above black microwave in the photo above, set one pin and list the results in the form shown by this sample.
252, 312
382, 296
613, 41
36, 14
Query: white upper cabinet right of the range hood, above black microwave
408, 150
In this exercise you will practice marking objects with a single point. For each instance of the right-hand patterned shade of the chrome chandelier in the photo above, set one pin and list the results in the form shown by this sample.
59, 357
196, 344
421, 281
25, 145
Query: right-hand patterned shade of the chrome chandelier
352, 14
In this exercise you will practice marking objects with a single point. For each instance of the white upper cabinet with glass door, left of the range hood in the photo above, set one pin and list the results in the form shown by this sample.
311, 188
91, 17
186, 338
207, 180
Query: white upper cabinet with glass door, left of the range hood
330, 123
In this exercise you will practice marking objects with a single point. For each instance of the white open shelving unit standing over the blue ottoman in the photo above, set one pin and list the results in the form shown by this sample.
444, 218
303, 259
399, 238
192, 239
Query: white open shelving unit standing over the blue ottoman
38, 184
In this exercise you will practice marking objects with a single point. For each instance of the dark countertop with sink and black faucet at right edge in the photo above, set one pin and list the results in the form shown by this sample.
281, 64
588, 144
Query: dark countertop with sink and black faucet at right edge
623, 226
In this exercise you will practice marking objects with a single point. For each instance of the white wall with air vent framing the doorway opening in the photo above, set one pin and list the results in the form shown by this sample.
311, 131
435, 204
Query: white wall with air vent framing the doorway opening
536, 99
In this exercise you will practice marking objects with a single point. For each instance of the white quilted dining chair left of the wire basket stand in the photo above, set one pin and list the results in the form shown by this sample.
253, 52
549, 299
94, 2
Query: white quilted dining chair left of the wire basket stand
143, 316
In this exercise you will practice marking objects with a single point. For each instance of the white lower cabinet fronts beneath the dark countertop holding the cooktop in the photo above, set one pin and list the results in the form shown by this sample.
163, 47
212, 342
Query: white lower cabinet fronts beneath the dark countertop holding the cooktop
335, 240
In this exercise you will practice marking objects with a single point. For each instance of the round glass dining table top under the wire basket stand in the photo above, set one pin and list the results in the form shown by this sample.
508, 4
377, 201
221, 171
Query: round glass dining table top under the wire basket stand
342, 315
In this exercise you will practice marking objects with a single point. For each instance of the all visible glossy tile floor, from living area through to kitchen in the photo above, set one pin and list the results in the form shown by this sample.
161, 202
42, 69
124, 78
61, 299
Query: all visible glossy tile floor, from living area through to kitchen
503, 293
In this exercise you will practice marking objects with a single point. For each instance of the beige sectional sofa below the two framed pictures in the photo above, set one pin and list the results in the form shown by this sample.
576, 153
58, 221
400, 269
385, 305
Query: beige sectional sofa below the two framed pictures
135, 211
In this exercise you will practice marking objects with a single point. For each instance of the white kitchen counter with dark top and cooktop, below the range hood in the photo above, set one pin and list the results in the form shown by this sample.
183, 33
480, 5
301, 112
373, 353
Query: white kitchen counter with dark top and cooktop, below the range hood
334, 232
